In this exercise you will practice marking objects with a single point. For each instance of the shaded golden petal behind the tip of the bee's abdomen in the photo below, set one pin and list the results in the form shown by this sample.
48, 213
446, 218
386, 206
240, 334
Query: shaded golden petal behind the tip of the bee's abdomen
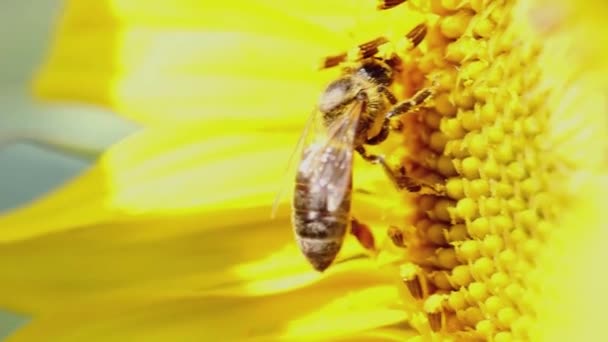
150, 256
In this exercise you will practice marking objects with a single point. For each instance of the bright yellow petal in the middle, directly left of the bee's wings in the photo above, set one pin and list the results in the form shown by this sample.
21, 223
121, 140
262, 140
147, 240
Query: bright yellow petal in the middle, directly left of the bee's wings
159, 172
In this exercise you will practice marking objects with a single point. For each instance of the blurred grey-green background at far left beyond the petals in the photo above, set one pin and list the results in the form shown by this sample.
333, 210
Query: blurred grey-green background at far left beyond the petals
41, 145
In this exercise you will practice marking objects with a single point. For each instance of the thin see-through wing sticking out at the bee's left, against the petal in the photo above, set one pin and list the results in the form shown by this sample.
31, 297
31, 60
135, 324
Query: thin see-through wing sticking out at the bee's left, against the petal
312, 129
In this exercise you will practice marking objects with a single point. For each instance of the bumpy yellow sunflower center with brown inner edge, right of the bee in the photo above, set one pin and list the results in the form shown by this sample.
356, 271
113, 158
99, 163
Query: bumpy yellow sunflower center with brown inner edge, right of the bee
472, 249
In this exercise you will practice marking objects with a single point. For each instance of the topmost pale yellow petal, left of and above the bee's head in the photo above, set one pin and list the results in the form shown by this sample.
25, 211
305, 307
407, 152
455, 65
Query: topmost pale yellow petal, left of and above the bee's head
159, 63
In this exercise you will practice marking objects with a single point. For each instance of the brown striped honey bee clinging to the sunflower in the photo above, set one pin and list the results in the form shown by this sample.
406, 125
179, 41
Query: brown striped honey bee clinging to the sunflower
353, 111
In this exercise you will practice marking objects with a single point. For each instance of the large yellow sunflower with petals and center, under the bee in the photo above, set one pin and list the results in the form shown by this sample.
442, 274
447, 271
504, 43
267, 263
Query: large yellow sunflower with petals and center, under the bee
168, 236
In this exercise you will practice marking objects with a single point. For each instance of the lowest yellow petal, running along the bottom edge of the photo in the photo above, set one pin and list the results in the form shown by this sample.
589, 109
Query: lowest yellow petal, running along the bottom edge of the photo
353, 301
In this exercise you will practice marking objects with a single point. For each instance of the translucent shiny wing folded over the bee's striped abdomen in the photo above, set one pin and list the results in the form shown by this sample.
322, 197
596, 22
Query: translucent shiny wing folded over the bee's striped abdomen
329, 161
